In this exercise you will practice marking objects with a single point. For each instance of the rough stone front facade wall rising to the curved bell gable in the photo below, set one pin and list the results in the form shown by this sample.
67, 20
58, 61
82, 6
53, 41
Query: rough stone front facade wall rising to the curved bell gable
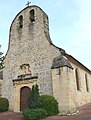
29, 44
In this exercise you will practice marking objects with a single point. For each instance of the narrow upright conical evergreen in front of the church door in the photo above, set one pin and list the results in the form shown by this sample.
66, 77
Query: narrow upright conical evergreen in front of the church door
34, 101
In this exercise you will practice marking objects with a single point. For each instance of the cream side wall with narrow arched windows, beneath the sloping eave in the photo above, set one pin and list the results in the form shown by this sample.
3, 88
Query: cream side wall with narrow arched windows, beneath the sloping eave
82, 95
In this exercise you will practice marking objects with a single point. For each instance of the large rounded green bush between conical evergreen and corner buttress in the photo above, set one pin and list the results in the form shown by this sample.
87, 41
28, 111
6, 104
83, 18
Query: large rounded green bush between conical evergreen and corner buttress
49, 104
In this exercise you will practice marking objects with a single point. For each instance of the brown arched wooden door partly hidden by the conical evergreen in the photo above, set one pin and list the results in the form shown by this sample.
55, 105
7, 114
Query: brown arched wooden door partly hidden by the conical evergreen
24, 97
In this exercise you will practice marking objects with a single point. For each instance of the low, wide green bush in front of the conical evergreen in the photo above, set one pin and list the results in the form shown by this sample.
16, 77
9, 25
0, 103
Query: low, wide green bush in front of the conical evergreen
34, 114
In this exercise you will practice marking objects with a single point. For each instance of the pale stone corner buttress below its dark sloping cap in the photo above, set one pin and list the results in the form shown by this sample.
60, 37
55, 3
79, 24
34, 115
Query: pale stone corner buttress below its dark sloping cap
63, 89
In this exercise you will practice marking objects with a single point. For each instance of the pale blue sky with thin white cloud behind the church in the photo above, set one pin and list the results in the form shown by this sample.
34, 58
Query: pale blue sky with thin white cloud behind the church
69, 24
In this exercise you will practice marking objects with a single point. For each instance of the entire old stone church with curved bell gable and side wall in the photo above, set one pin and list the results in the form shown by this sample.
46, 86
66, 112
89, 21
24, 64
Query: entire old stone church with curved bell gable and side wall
33, 58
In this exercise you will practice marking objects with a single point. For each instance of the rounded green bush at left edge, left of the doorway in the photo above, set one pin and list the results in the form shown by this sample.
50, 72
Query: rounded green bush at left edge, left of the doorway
4, 104
